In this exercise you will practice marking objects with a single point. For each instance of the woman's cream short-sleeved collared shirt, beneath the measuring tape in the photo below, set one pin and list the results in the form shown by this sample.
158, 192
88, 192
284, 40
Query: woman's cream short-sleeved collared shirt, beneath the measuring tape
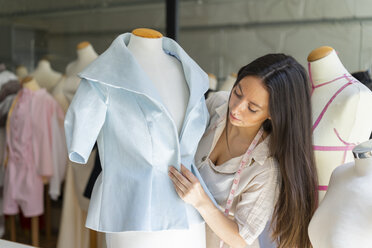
258, 189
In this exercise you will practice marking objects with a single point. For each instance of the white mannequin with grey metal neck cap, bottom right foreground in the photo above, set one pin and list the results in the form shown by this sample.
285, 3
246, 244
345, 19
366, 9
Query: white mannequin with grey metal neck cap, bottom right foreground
344, 218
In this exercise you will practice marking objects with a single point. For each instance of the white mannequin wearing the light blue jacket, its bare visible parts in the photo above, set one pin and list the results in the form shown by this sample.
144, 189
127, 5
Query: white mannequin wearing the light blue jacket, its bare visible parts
167, 75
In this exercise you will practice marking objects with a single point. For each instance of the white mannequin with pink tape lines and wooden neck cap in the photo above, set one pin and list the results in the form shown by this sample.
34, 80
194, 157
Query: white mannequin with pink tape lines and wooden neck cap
349, 113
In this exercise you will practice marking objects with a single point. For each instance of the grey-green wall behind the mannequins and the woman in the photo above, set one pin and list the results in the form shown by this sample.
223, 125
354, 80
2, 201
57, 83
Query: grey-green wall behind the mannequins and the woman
221, 35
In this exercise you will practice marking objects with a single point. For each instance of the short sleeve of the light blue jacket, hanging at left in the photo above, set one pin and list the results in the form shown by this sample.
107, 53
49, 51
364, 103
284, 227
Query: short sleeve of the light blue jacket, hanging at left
84, 120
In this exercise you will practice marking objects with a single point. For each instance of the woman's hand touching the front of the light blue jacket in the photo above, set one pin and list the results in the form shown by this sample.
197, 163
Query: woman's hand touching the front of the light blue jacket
188, 186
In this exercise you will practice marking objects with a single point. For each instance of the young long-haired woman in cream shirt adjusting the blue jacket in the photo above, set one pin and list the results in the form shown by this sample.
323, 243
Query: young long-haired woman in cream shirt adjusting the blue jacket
256, 158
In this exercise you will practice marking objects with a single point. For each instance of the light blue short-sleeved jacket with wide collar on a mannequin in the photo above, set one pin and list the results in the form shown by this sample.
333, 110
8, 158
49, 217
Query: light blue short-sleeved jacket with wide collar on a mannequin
117, 105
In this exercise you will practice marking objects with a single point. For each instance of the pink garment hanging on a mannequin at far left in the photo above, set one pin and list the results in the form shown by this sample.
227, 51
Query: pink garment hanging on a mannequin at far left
32, 135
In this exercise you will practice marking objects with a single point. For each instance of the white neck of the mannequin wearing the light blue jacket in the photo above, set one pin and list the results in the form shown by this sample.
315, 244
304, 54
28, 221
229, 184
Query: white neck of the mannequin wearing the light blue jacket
149, 46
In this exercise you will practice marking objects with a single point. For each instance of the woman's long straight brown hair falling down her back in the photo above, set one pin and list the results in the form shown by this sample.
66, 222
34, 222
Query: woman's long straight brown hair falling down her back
290, 143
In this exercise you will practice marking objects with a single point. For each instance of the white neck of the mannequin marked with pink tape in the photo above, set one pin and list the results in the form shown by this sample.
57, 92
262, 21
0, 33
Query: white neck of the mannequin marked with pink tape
326, 69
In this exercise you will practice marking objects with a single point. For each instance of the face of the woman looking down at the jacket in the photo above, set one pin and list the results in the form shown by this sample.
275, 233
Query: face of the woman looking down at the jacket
249, 103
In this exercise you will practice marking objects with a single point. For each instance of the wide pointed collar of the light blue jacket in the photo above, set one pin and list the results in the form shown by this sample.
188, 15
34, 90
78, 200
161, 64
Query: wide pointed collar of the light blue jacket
117, 67
